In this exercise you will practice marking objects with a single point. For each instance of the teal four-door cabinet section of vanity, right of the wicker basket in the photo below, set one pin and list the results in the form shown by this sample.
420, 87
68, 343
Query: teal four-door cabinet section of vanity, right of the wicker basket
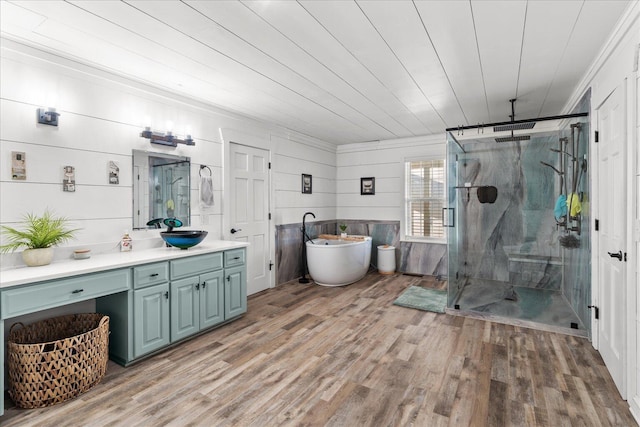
175, 299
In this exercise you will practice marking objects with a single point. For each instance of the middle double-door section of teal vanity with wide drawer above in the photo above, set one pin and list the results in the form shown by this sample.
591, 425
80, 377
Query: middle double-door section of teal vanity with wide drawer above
197, 294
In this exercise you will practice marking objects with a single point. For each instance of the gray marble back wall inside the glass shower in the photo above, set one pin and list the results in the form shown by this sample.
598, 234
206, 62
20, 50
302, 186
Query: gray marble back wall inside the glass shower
514, 239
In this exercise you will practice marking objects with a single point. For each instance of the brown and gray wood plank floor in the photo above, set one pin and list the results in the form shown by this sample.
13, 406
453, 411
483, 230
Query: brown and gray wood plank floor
306, 355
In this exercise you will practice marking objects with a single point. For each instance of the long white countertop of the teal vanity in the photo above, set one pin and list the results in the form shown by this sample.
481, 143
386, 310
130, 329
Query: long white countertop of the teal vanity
102, 262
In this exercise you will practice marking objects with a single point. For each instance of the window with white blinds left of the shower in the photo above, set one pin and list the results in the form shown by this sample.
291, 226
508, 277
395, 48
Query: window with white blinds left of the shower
425, 198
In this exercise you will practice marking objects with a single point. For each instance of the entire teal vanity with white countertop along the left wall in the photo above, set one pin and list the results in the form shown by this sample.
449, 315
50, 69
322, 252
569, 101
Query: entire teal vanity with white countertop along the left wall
153, 298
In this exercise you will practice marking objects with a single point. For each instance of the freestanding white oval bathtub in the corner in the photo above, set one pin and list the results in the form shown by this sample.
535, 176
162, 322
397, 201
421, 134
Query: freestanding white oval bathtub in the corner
338, 262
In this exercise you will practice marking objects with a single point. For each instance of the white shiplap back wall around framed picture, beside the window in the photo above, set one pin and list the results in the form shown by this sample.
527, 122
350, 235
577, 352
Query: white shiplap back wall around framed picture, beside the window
385, 162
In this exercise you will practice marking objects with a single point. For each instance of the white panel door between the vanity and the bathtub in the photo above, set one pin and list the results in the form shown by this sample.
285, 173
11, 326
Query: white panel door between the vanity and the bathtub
249, 216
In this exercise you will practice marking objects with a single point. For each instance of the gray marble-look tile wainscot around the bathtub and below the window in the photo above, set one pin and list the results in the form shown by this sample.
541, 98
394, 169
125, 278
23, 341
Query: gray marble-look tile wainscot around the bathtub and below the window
411, 257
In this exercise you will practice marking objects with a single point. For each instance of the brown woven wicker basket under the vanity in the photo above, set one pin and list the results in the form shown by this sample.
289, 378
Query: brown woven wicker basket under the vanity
54, 360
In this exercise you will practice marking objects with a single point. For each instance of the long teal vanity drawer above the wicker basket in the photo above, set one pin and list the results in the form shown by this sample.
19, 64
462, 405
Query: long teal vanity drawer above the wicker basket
41, 296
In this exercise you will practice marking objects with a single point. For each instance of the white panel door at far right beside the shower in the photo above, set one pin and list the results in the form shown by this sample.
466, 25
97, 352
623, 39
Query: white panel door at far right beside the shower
611, 327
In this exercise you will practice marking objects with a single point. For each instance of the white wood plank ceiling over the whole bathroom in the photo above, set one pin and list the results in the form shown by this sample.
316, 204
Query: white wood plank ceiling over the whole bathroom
341, 71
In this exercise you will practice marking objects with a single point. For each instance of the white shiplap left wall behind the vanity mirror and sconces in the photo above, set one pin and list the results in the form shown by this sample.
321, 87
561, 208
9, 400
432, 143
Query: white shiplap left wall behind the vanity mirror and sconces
101, 118
